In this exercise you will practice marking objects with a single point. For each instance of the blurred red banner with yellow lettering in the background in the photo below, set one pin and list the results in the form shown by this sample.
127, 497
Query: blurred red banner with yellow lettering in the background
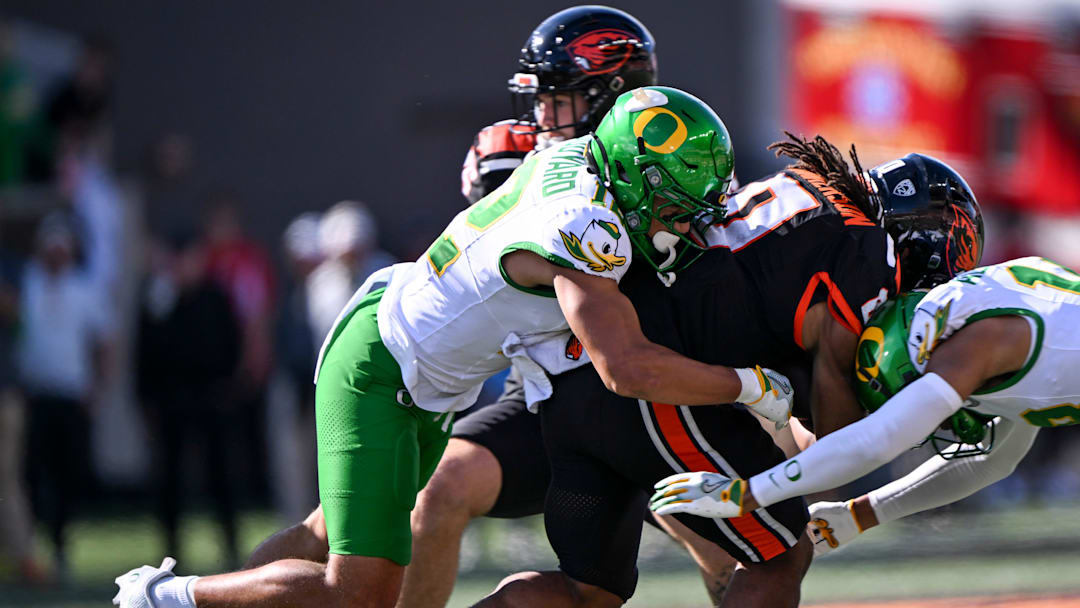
997, 99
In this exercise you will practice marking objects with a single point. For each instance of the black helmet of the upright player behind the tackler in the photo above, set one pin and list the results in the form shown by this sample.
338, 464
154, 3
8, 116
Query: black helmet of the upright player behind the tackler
598, 51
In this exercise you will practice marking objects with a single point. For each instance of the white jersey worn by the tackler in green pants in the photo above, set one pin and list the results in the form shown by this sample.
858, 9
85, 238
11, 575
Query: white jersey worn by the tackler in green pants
454, 319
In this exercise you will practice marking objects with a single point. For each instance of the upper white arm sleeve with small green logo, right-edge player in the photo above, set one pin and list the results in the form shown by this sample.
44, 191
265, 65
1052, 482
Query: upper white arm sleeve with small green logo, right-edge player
859, 449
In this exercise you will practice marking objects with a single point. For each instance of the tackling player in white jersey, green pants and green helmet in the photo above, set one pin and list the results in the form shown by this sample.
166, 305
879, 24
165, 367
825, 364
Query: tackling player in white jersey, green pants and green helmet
508, 281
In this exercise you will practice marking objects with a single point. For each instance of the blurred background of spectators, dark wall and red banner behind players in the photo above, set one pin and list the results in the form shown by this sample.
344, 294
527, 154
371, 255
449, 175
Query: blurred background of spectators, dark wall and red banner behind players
190, 193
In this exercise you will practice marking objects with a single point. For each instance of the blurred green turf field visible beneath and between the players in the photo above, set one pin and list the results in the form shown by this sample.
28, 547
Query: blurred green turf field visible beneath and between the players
952, 553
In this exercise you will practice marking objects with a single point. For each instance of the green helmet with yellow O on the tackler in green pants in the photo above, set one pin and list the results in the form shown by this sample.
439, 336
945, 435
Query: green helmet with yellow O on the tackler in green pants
665, 155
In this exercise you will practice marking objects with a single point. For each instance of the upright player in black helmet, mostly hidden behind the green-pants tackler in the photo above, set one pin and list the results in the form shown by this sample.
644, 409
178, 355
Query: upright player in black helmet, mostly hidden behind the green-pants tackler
572, 67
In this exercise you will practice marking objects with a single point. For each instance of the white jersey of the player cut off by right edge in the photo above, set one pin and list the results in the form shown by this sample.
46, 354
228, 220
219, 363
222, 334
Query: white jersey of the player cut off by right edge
1046, 393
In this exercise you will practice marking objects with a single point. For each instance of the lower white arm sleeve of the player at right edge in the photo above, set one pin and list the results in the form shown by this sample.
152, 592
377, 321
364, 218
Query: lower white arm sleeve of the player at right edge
939, 482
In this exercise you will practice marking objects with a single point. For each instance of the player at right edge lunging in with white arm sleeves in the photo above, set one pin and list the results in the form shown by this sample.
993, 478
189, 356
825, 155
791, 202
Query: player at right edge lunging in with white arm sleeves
989, 357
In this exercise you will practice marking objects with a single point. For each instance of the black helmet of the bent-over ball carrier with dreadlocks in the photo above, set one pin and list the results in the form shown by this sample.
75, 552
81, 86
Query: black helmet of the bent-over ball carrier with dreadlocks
933, 217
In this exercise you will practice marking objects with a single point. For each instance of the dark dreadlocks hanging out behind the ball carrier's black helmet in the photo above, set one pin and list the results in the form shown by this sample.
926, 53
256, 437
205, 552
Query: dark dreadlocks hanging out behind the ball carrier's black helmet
821, 158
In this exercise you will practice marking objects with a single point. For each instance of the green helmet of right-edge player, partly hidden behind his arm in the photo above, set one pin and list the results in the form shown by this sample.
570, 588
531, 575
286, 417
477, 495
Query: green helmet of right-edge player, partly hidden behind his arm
884, 368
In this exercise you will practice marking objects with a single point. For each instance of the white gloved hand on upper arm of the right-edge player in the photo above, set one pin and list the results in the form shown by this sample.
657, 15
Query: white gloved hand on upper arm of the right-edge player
704, 494
